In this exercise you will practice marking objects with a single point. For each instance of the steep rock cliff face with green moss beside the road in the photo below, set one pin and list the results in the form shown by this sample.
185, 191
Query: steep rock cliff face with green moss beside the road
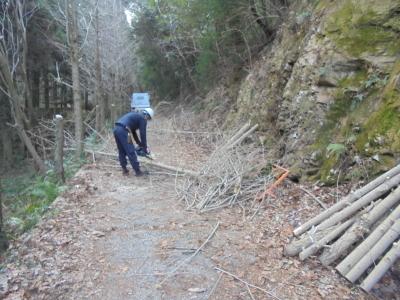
326, 93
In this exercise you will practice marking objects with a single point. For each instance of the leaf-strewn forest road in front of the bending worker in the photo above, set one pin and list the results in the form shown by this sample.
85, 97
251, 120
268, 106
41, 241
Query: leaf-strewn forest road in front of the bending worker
115, 237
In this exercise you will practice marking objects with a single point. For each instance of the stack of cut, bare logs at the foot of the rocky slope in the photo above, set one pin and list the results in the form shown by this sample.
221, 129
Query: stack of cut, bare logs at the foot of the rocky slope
361, 232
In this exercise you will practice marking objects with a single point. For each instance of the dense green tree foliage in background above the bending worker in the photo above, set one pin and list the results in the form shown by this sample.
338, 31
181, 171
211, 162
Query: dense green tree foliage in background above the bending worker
192, 44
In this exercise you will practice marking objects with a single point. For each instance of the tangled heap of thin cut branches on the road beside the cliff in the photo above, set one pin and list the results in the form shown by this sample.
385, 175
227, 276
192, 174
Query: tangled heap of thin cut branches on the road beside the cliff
226, 177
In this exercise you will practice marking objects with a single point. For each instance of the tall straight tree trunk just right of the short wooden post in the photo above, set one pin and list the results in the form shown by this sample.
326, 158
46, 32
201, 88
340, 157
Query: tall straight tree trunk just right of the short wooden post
72, 29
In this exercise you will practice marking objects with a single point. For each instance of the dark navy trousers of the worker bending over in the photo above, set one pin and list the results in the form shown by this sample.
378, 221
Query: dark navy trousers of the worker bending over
125, 149
